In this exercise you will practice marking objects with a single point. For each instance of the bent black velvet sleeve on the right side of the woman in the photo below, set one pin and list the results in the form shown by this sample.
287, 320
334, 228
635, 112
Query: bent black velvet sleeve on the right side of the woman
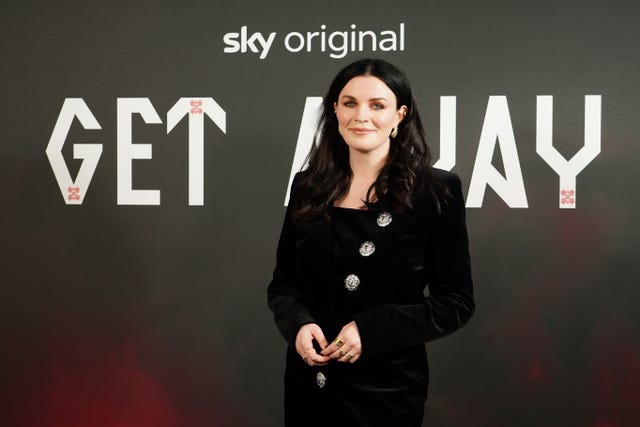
449, 303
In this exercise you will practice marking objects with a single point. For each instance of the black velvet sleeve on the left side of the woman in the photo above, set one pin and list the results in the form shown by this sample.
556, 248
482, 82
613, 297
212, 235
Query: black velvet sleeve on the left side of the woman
283, 293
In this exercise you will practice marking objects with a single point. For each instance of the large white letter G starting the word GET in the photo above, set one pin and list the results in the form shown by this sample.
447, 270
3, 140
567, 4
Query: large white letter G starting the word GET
73, 191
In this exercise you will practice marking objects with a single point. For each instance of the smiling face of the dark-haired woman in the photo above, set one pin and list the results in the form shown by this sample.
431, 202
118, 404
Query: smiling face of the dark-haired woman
367, 113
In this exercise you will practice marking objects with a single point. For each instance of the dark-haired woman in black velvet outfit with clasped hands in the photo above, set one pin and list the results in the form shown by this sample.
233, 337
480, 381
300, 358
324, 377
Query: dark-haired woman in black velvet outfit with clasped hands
369, 229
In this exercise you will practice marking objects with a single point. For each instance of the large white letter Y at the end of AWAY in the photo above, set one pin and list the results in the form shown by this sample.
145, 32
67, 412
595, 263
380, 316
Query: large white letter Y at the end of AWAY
568, 170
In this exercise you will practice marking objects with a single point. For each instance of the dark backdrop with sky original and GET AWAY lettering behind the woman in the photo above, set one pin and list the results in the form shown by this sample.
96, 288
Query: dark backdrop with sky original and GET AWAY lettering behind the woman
127, 308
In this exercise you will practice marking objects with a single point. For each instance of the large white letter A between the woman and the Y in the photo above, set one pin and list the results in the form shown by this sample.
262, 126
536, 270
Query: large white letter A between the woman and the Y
497, 127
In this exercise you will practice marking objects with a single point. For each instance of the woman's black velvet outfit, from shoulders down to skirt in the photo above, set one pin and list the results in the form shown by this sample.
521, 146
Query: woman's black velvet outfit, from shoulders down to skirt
415, 287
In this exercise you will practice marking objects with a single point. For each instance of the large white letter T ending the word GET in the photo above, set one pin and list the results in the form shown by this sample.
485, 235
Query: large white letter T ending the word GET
196, 108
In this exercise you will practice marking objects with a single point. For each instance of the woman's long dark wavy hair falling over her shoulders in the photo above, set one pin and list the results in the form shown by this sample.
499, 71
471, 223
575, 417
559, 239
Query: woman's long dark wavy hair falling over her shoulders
328, 175
